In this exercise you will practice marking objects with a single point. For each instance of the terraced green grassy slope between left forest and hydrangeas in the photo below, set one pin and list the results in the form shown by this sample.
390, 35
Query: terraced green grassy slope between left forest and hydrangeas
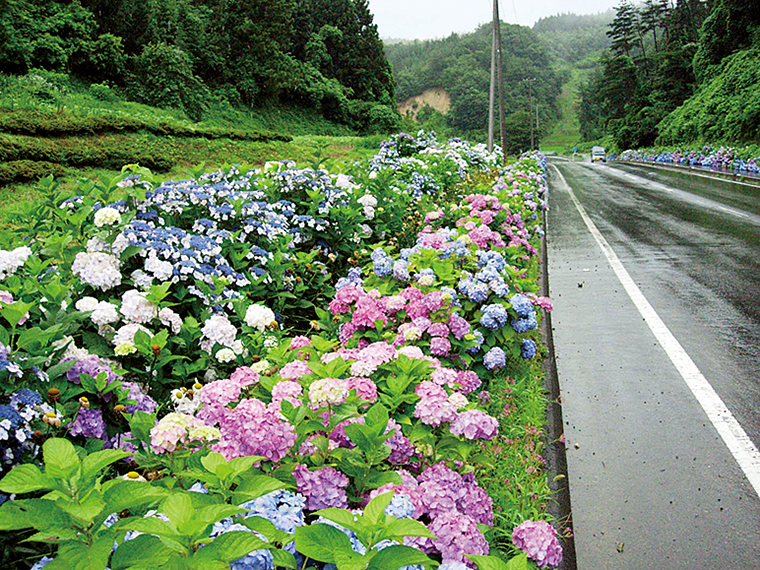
53, 124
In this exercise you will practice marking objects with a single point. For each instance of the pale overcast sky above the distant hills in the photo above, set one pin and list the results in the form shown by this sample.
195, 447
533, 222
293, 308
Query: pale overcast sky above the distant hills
424, 19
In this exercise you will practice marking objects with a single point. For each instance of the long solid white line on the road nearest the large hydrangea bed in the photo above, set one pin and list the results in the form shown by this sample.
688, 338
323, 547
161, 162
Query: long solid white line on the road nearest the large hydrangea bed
739, 444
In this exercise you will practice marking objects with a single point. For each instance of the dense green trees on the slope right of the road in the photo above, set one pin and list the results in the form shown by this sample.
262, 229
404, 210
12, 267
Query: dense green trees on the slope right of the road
677, 72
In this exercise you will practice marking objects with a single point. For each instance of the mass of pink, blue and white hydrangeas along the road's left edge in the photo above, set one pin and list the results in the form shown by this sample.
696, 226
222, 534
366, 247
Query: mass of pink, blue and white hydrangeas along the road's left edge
266, 353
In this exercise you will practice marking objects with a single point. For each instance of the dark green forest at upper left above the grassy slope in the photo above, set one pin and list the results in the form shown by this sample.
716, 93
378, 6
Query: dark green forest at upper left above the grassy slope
322, 54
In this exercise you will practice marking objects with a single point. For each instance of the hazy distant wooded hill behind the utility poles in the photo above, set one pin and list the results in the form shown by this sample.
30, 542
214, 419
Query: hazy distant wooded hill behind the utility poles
461, 65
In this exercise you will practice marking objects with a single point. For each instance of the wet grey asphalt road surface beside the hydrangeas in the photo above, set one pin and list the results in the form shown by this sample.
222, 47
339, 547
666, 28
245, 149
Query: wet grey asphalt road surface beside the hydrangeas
652, 484
